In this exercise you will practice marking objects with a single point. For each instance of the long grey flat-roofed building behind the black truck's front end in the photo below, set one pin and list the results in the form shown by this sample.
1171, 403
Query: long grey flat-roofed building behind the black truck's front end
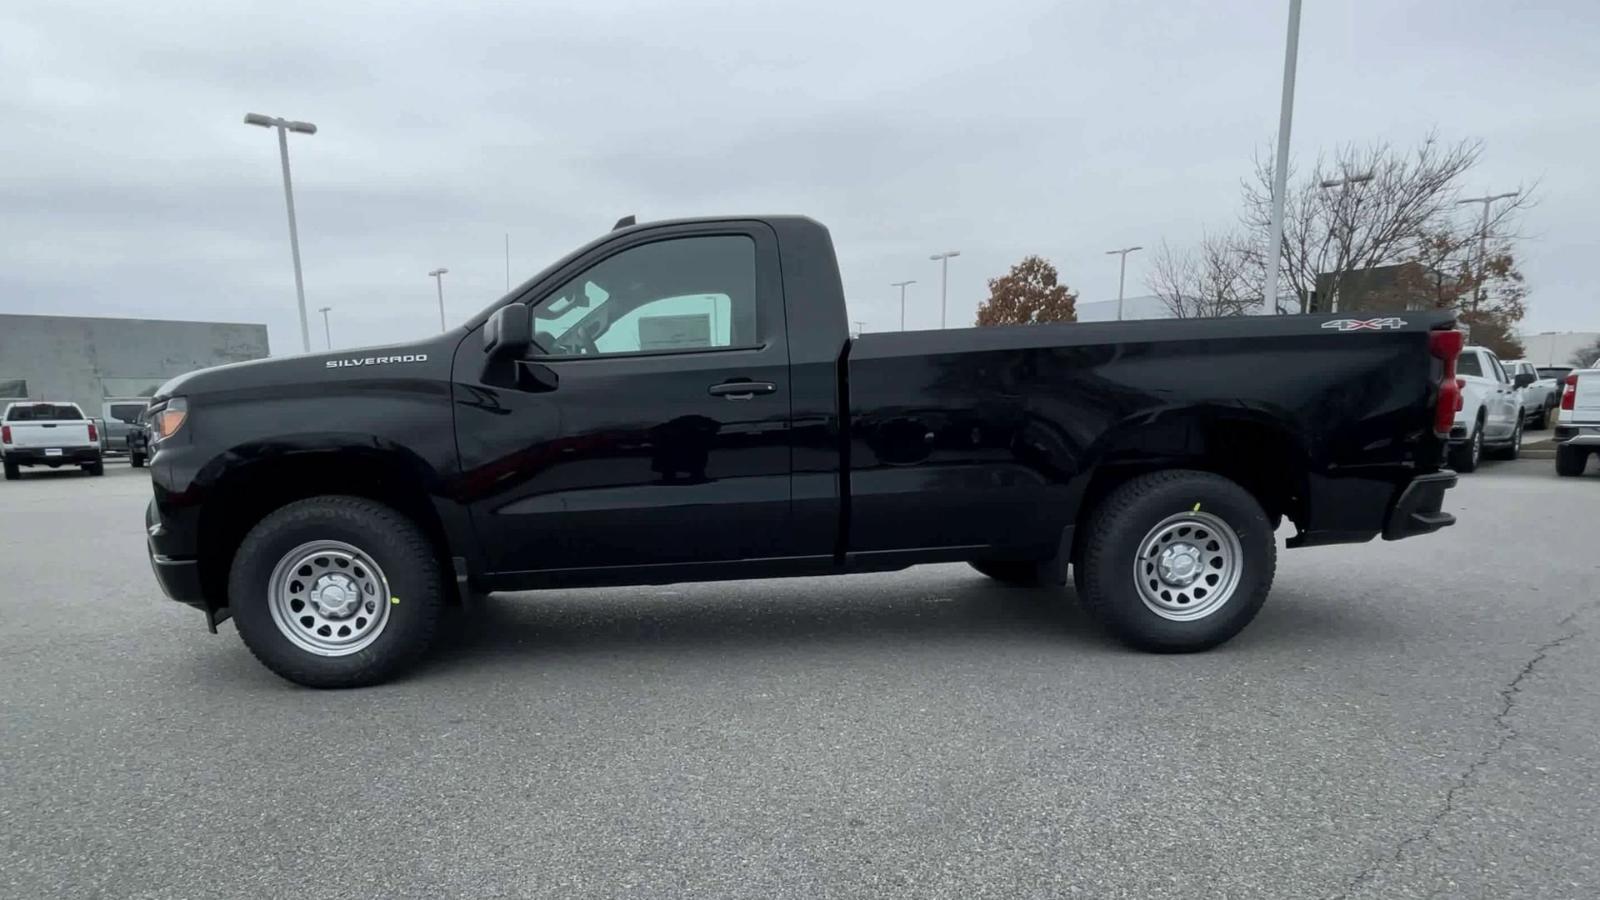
95, 361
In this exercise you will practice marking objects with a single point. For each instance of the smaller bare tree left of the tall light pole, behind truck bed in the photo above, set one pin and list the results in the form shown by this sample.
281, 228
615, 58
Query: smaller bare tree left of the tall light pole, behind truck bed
1217, 279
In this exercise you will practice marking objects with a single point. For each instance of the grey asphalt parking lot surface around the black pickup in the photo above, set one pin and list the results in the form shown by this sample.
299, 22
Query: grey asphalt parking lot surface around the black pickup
1404, 720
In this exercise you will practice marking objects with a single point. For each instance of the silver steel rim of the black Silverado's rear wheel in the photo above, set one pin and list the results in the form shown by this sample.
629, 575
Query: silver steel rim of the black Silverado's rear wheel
1188, 566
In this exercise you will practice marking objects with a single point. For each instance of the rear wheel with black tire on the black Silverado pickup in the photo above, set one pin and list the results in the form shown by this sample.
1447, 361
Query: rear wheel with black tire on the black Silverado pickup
1234, 544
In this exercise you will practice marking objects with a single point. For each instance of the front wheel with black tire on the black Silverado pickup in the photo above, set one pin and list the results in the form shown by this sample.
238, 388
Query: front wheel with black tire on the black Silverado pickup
390, 573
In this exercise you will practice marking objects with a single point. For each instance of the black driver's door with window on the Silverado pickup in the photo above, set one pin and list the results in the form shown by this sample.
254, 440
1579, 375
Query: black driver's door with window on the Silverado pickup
655, 425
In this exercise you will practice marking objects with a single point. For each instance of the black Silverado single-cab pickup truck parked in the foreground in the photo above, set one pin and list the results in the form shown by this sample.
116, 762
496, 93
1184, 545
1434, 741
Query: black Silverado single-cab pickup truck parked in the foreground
682, 401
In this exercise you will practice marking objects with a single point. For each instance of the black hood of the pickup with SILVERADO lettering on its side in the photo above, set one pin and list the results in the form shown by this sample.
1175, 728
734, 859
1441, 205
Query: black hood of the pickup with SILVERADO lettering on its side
415, 360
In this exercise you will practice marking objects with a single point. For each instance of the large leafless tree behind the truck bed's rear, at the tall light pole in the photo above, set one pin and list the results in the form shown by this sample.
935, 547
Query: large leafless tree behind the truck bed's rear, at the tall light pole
1406, 214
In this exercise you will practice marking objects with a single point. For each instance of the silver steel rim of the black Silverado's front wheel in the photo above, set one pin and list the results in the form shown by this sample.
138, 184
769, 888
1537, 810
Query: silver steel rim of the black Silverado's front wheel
329, 598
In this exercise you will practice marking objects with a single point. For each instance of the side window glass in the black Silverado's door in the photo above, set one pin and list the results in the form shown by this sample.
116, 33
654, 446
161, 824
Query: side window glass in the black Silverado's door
687, 294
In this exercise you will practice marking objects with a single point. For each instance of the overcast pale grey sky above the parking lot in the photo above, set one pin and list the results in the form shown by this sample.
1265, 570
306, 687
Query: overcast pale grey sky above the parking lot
130, 187
